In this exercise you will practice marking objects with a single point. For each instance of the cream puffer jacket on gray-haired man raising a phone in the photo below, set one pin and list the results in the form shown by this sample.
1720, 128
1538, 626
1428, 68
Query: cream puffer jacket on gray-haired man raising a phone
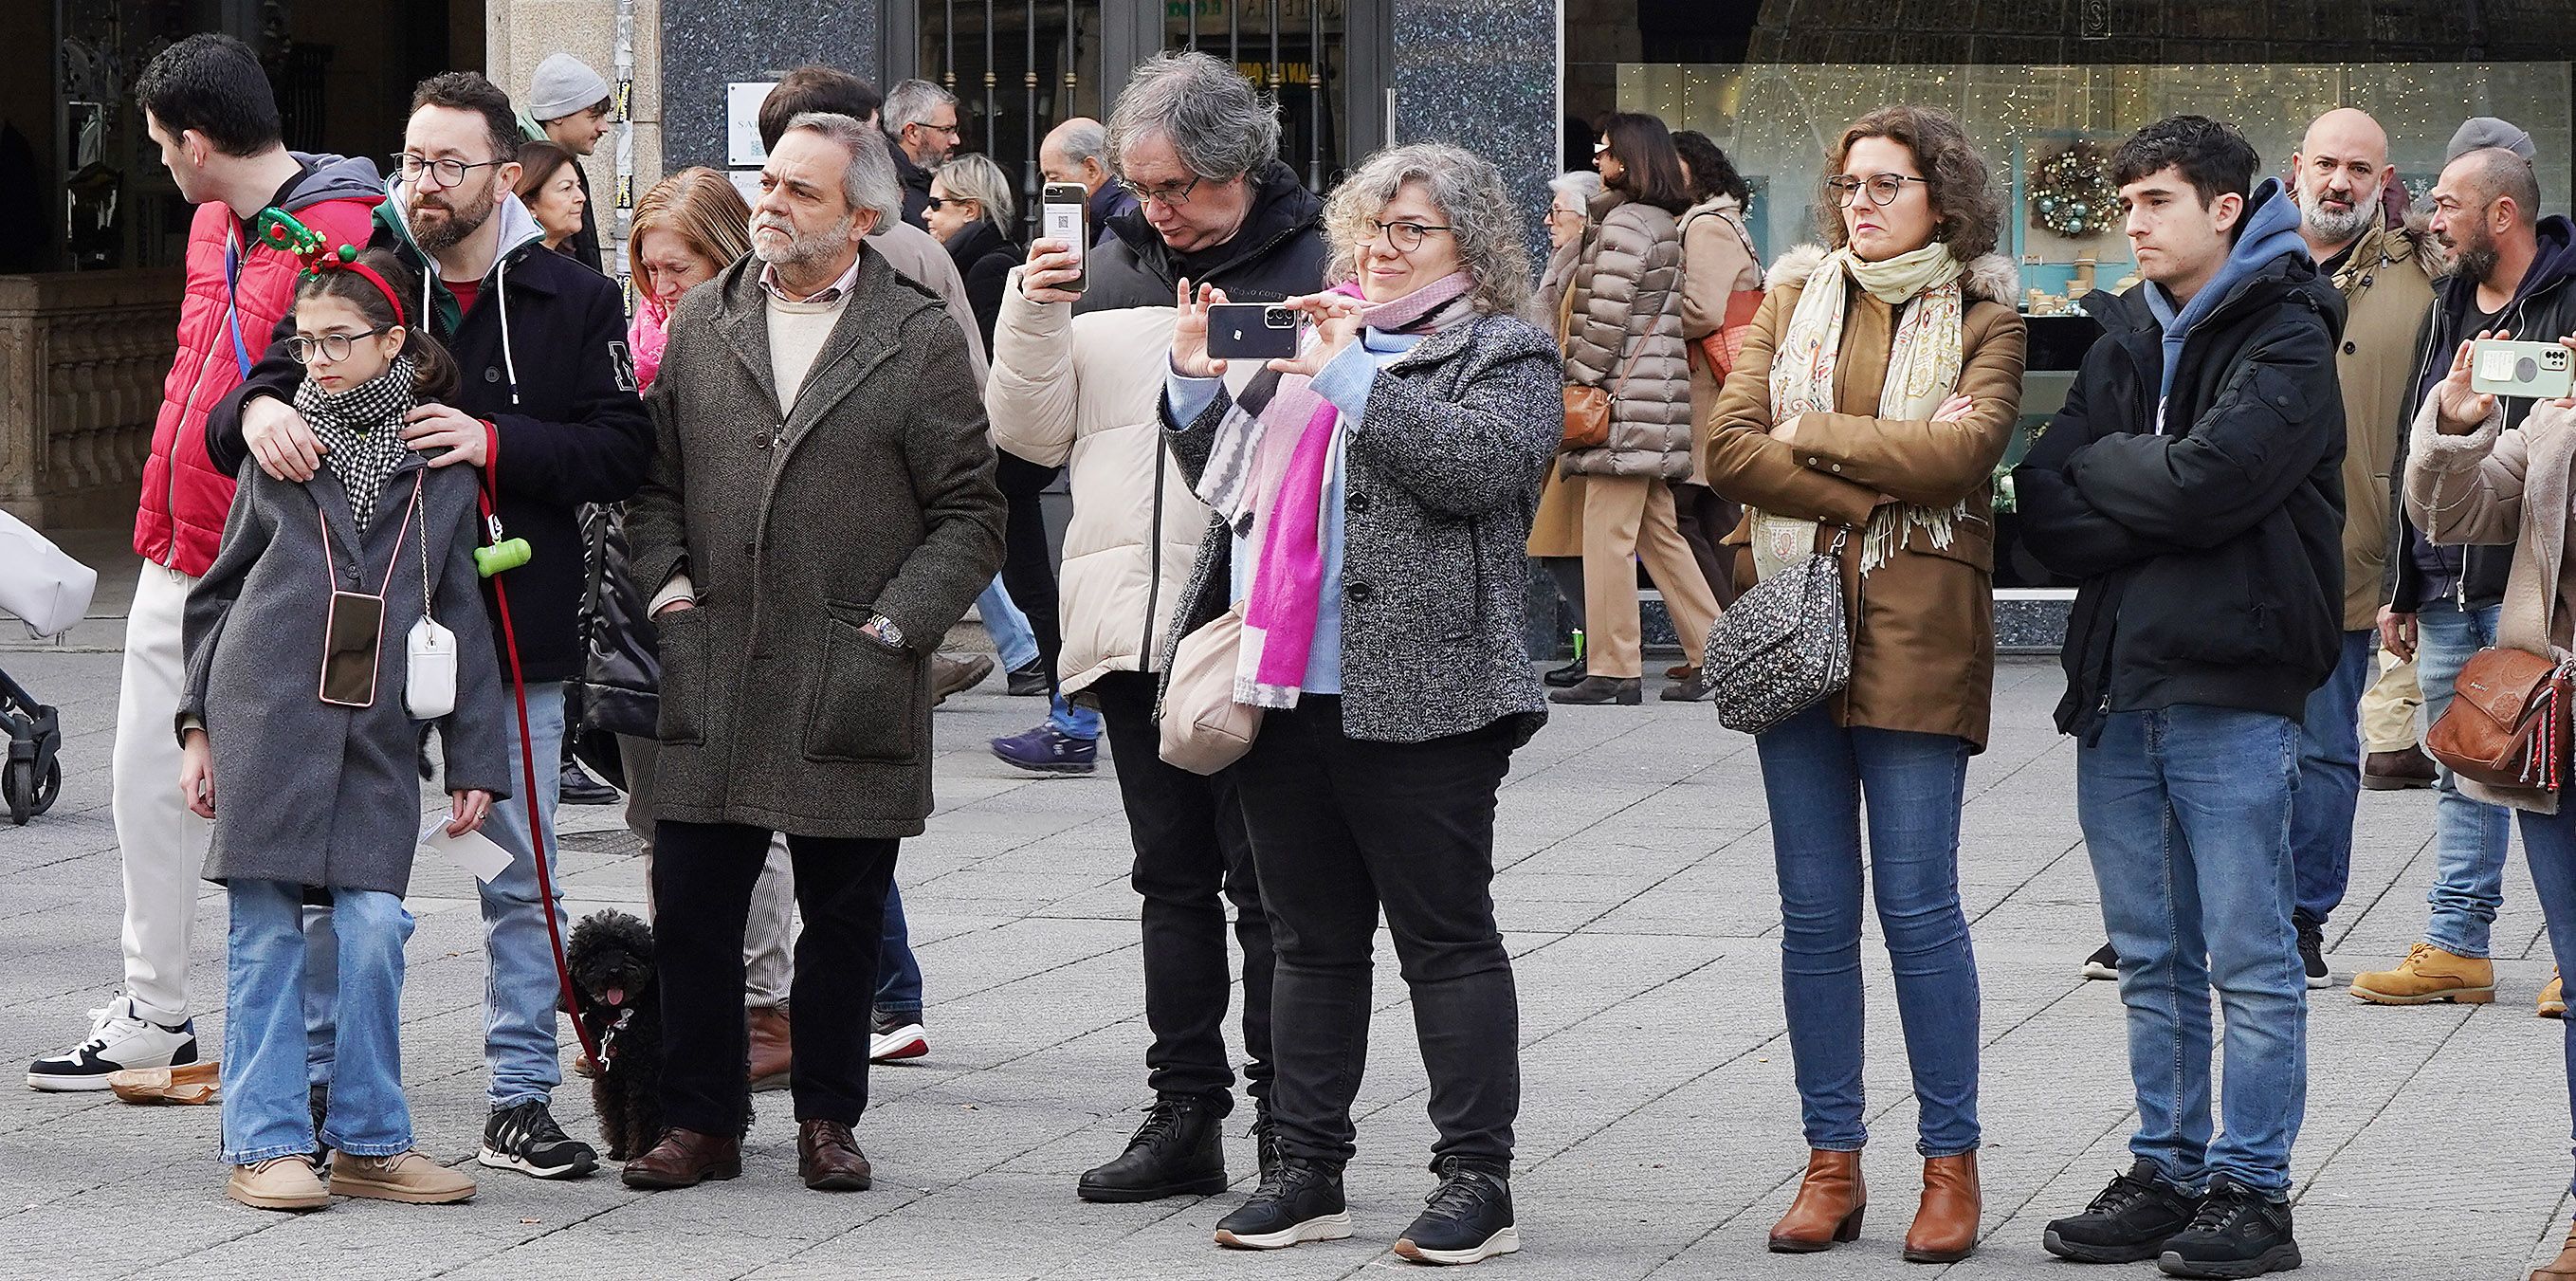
1088, 393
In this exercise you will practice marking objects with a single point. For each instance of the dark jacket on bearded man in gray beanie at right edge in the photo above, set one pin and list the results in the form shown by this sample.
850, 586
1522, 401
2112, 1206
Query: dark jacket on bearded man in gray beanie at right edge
2541, 311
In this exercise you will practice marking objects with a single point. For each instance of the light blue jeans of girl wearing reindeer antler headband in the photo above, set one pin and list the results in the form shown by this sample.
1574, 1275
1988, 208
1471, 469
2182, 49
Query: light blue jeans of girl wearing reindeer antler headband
264, 1027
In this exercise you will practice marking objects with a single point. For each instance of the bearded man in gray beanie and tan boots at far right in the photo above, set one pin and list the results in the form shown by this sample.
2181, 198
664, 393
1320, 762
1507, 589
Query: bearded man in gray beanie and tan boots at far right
2510, 272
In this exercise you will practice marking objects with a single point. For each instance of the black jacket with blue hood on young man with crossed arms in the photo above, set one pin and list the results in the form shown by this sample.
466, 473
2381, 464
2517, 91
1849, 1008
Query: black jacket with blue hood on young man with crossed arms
2209, 543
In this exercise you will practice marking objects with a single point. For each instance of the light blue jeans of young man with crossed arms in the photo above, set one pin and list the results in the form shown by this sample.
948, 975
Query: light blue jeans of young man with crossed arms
2188, 823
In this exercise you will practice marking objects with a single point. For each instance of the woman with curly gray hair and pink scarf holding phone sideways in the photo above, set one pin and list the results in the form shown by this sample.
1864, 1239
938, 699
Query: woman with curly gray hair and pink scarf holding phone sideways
1372, 499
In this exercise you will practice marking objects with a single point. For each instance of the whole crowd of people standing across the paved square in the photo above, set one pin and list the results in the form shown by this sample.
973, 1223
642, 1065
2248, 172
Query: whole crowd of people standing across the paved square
1292, 597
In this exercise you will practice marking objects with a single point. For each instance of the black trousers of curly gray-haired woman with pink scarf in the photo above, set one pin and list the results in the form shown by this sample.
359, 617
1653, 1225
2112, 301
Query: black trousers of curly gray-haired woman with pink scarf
1338, 831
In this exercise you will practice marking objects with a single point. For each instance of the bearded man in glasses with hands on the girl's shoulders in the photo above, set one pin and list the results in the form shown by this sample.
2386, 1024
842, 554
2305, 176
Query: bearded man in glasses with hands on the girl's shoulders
550, 414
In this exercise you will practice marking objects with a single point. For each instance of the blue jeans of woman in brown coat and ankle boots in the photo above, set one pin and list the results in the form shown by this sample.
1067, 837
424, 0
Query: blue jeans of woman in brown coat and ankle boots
1817, 780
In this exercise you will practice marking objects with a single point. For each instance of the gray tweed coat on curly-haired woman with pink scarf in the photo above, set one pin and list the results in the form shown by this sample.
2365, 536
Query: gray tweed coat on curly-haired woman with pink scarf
1439, 494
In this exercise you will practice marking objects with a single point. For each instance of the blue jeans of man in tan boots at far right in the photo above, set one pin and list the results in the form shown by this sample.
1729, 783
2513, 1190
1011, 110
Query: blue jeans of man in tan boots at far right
2469, 836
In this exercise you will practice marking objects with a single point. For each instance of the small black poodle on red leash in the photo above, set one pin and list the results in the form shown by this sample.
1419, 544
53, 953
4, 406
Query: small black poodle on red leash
614, 973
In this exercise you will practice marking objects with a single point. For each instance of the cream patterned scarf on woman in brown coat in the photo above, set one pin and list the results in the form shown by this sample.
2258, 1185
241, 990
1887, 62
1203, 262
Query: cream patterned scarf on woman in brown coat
1923, 370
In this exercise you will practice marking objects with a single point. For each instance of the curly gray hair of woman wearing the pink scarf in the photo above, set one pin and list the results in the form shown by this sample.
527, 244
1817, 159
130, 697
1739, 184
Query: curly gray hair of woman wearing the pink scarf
1472, 202
